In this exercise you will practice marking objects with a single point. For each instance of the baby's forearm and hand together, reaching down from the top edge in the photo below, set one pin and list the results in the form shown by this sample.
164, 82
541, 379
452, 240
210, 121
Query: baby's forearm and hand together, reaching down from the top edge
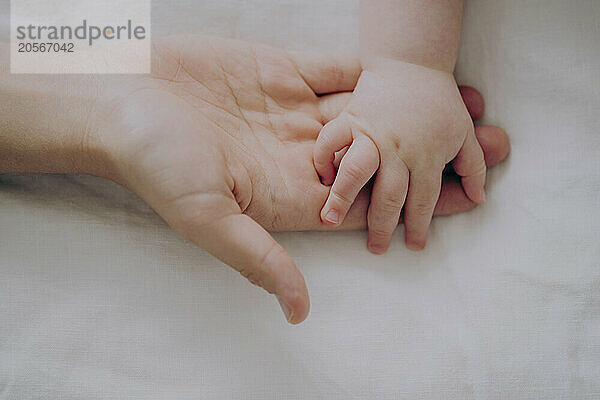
404, 122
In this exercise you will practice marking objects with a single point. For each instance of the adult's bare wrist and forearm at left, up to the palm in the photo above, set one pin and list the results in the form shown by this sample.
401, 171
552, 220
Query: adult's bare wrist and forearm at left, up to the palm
49, 125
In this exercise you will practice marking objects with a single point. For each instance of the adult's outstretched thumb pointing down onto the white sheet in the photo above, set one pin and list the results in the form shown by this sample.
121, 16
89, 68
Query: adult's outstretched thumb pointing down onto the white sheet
240, 242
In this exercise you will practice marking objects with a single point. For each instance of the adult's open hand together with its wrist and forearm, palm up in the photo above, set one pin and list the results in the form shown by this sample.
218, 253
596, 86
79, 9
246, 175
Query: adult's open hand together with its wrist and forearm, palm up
218, 140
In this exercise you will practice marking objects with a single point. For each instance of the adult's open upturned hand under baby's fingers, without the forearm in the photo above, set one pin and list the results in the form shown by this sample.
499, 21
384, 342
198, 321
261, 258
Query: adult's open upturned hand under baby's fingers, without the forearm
219, 141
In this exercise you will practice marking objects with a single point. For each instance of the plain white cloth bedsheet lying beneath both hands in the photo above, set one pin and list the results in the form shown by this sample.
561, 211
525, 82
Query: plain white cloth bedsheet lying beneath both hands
99, 299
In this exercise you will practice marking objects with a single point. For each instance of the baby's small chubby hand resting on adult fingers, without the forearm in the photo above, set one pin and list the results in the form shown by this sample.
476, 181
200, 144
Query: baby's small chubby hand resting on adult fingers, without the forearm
405, 122
